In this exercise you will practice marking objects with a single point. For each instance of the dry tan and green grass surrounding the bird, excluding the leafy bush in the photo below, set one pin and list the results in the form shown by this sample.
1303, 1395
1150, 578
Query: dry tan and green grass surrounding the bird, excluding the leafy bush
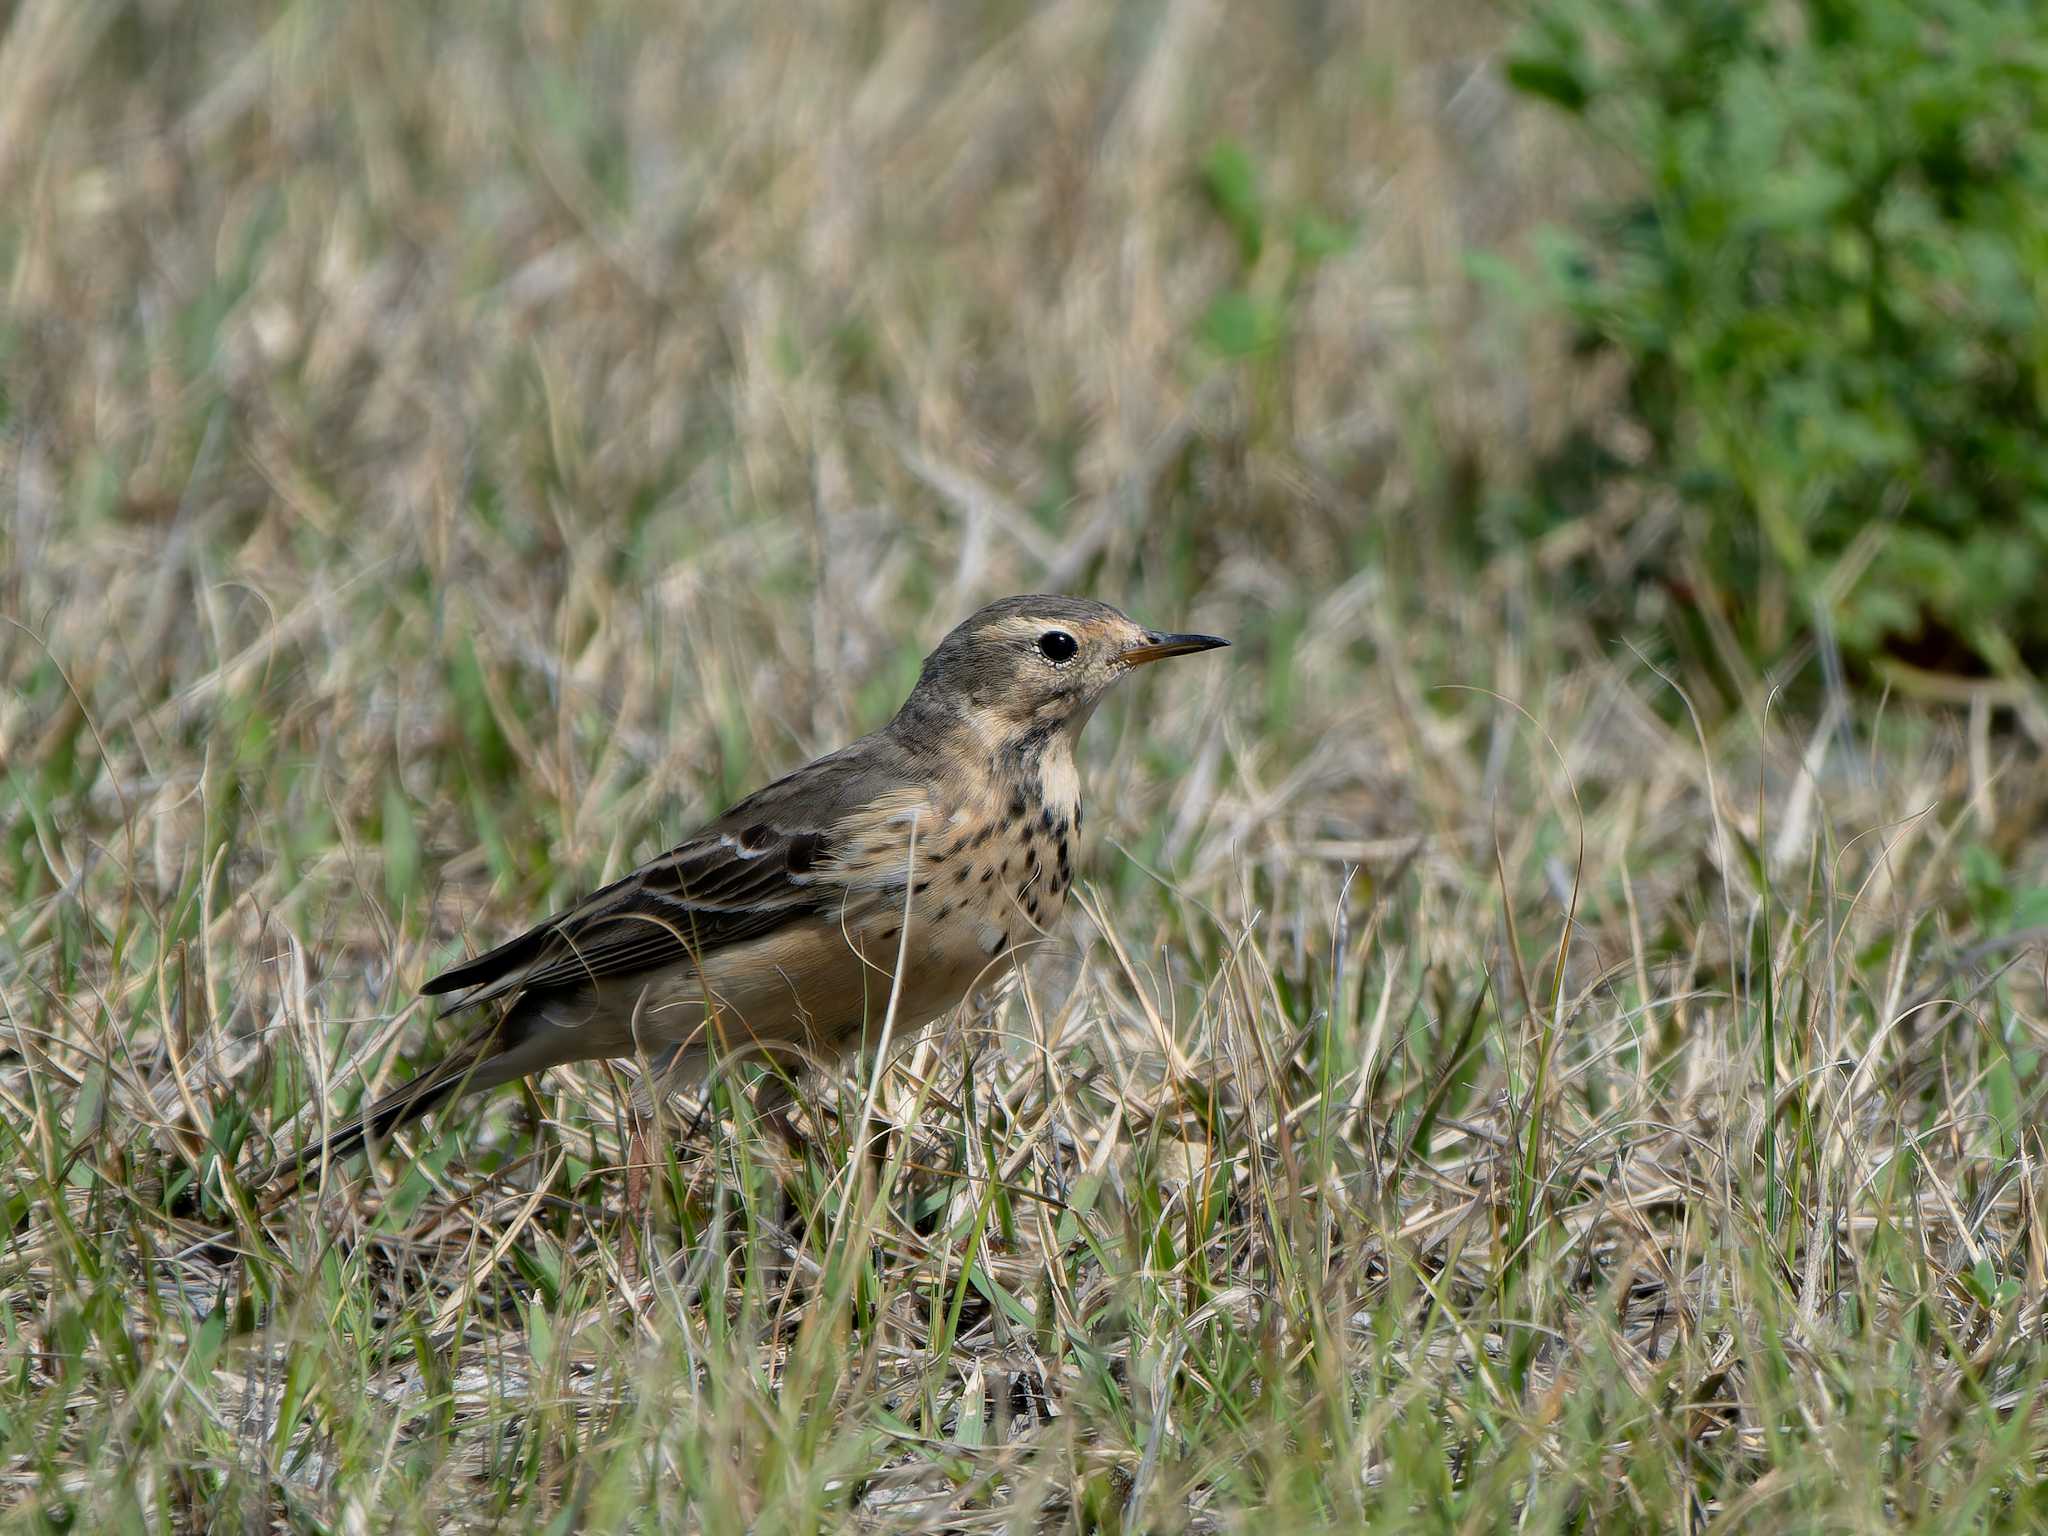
1502, 1078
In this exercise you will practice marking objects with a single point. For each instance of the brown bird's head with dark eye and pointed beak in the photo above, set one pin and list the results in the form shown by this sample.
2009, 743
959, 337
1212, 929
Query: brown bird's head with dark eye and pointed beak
1039, 663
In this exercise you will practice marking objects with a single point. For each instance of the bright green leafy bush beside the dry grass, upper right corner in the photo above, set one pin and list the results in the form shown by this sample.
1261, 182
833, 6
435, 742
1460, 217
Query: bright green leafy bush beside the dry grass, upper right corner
1830, 296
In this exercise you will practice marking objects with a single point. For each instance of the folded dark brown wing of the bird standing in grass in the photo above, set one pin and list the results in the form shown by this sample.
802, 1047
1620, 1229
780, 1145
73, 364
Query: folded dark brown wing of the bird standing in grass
773, 859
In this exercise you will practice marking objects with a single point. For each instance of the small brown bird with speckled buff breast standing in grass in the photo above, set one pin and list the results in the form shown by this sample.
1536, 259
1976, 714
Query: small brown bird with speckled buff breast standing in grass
882, 882
